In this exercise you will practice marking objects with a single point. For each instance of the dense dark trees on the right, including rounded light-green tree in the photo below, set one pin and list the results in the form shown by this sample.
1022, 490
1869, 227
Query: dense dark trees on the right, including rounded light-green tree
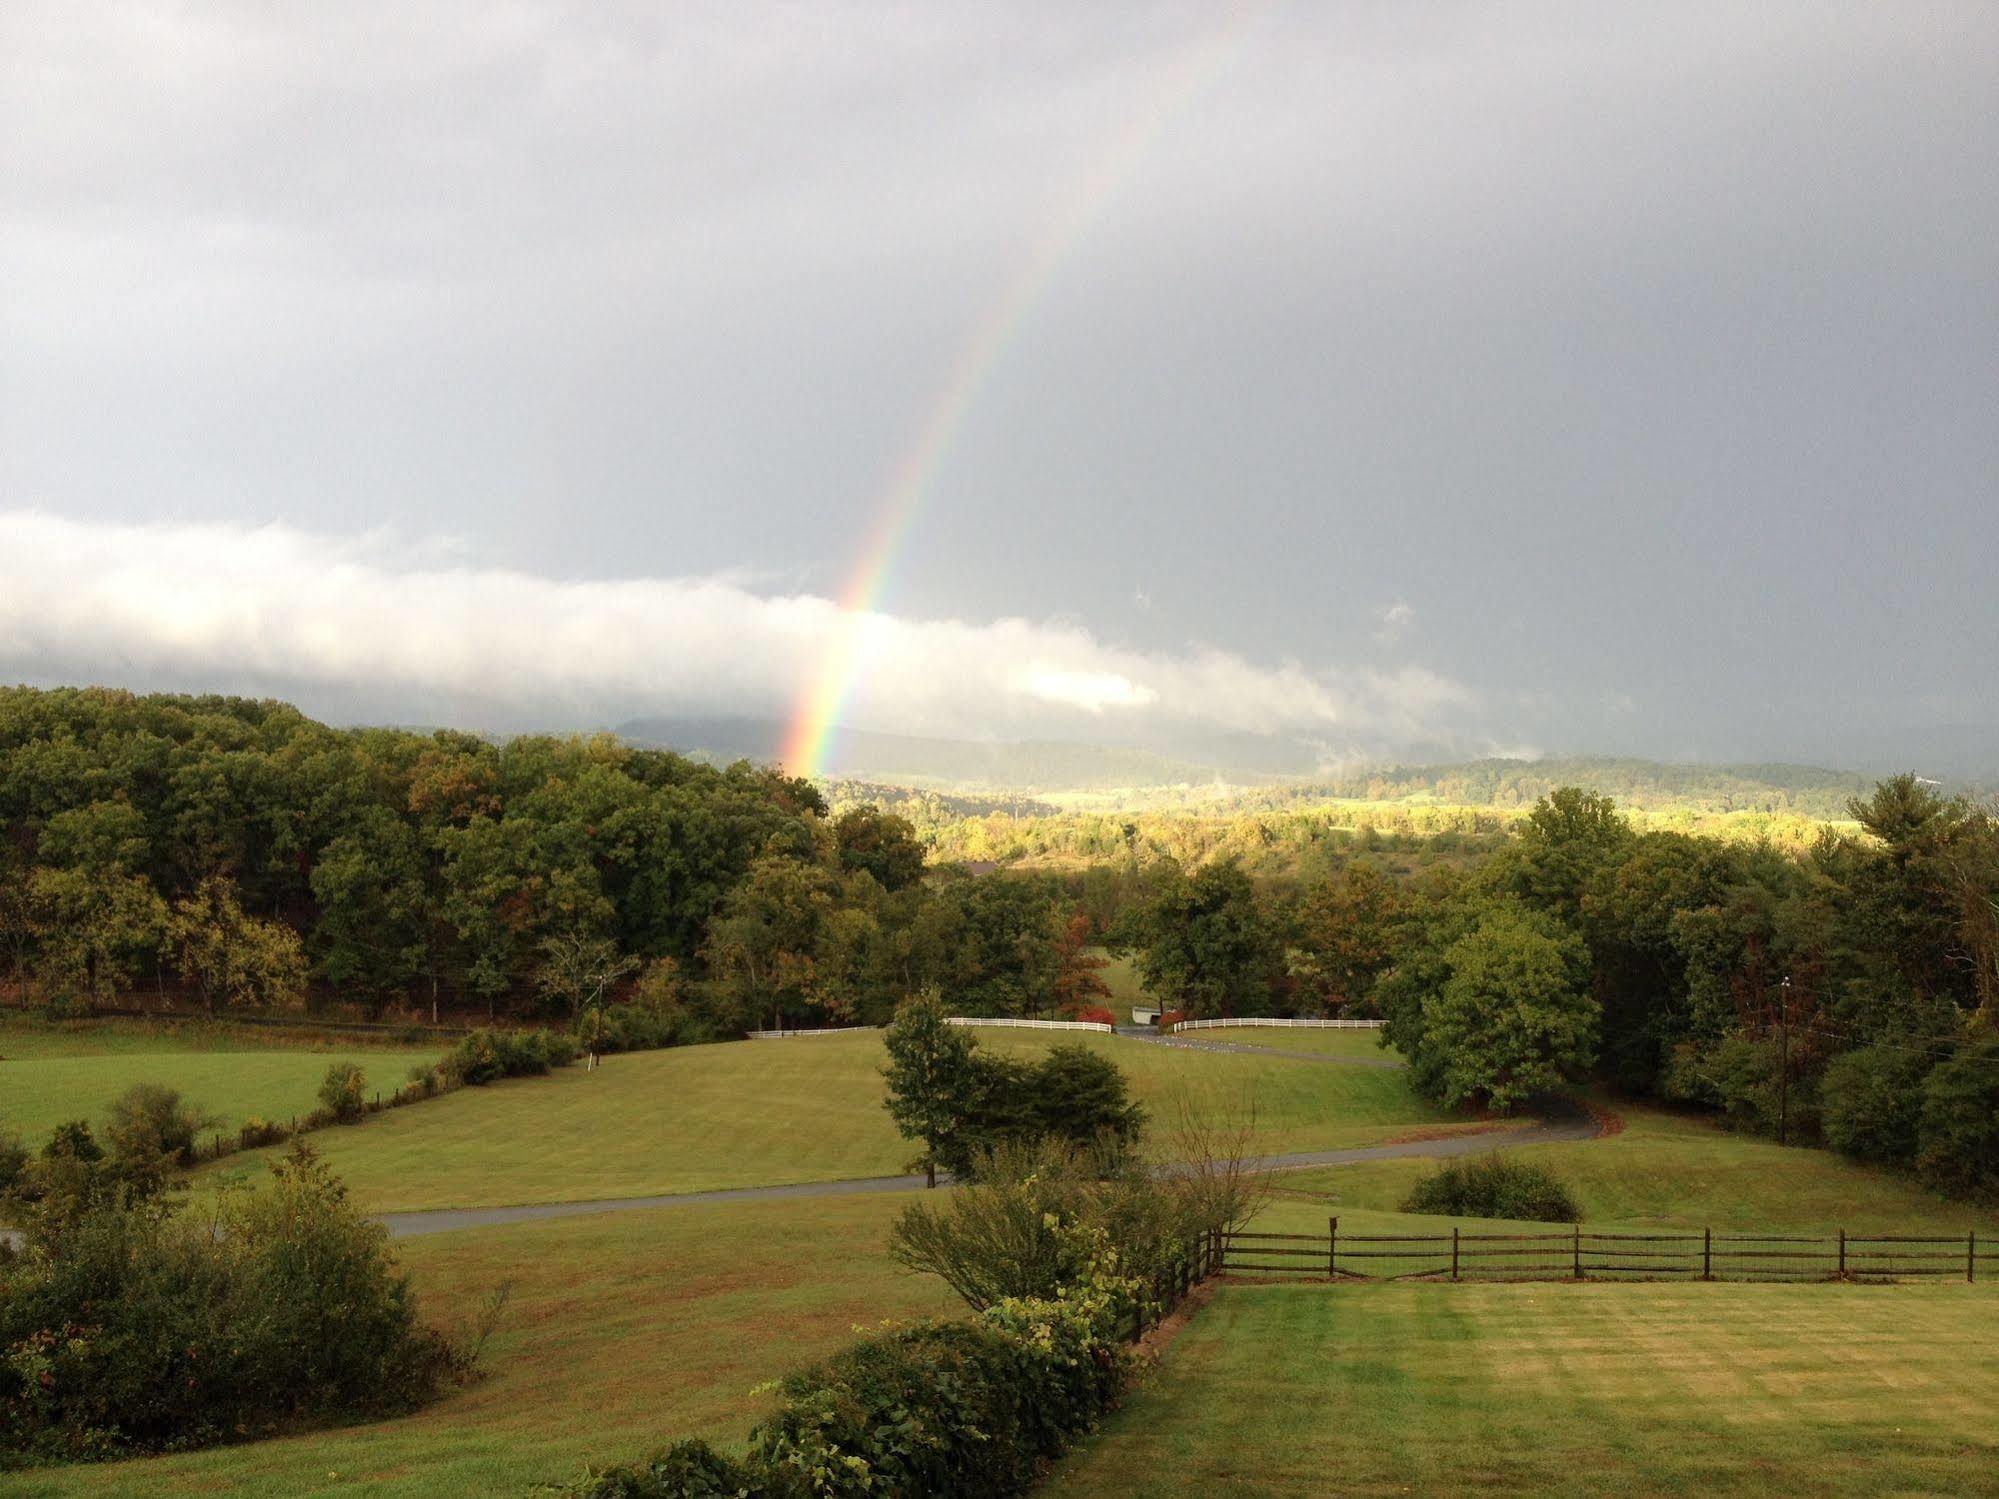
1842, 994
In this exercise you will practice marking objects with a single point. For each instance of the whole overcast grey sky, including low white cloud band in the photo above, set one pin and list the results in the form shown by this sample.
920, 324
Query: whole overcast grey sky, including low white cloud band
1580, 377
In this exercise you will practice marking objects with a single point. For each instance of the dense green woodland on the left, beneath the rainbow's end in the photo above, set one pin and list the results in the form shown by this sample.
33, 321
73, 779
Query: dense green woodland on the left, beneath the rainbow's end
253, 858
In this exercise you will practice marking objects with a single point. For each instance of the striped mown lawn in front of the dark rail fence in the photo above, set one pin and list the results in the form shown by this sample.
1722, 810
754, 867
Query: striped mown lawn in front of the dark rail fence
1564, 1390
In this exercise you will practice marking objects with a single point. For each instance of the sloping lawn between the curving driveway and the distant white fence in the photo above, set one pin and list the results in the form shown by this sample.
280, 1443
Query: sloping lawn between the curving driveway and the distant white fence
751, 1114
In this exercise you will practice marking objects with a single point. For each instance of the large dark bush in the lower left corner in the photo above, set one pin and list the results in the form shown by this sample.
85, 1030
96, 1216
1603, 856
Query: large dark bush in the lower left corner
131, 1328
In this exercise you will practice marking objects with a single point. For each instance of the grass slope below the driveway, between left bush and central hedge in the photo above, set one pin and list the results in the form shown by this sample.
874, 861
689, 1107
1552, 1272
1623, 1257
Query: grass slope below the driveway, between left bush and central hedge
625, 1332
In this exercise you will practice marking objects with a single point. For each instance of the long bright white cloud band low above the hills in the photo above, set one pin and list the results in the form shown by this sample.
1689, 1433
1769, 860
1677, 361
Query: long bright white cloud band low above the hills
377, 623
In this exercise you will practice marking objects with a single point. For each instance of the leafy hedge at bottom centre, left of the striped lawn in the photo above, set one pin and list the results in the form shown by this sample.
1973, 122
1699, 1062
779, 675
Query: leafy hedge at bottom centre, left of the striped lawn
971, 1408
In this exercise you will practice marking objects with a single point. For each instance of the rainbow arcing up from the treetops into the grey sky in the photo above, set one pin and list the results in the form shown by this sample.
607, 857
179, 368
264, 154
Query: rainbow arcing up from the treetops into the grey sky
817, 719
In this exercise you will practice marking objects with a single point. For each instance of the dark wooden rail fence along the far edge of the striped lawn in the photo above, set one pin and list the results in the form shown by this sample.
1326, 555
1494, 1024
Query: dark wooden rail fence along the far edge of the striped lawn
1586, 1254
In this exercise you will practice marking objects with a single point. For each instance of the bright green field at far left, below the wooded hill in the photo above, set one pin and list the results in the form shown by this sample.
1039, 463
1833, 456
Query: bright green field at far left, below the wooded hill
65, 1072
